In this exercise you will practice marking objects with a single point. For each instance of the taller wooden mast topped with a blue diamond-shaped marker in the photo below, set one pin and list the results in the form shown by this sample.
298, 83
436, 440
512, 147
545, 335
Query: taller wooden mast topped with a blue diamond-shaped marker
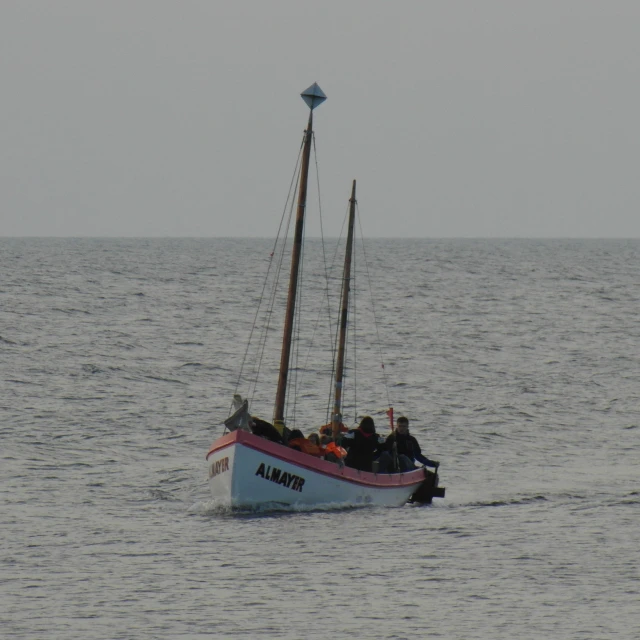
313, 96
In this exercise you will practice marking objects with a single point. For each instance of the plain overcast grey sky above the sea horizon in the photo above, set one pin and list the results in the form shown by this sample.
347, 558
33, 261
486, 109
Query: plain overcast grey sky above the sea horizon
470, 118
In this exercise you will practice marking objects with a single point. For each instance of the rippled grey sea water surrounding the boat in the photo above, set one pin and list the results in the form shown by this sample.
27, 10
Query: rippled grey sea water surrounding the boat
518, 362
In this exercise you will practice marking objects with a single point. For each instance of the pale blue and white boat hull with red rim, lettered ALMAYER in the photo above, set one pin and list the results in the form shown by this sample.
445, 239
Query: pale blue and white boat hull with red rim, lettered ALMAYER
247, 471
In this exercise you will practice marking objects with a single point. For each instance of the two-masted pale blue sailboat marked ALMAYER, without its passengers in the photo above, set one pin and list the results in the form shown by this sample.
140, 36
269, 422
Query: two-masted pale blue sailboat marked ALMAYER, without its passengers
248, 470
